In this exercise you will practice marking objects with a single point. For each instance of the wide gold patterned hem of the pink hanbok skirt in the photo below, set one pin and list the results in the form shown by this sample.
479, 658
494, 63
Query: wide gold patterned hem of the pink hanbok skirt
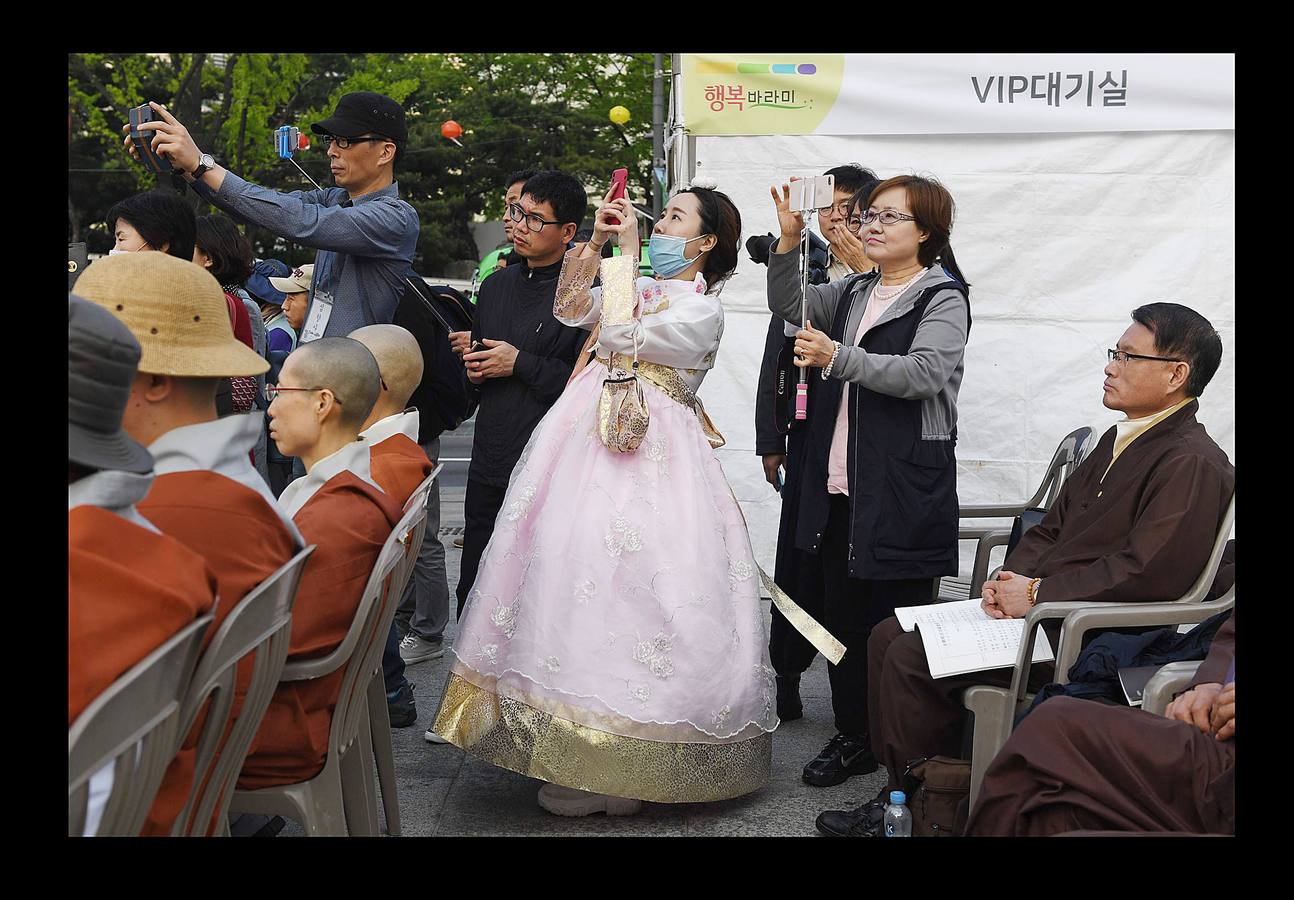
520, 738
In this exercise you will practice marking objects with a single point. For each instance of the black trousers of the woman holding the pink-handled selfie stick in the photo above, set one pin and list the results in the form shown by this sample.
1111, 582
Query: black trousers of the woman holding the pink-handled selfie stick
852, 607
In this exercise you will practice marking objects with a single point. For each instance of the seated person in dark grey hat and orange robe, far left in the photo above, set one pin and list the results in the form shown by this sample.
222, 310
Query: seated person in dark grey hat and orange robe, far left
130, 588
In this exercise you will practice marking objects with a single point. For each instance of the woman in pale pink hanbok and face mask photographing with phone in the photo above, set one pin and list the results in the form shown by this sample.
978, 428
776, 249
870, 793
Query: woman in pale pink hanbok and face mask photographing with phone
614, 642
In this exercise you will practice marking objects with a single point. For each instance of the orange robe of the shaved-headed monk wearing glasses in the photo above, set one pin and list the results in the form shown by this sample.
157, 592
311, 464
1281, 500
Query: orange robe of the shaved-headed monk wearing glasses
350, 520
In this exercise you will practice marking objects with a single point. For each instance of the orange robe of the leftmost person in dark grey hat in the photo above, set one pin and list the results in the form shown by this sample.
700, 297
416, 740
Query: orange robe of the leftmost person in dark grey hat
129, 592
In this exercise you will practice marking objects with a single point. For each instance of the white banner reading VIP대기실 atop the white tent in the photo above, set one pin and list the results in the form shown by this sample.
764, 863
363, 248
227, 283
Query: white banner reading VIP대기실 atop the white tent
856, 94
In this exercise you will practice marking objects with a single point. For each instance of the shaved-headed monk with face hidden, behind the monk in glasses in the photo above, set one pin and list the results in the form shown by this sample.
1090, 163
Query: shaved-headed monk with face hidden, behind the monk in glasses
399, 466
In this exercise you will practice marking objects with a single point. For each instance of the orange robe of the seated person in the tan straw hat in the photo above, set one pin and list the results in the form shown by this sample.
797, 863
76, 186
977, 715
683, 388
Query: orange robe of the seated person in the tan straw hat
244, 541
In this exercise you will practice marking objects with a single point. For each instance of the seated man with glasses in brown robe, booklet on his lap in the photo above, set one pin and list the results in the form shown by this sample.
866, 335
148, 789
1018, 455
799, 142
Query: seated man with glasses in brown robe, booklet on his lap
1135, 523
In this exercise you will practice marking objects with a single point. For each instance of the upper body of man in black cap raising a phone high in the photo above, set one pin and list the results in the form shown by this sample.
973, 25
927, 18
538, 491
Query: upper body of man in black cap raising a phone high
364, 233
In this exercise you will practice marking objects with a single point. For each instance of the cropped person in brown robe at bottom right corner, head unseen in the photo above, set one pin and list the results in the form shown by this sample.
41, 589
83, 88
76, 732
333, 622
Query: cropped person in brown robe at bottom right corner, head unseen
1082, 766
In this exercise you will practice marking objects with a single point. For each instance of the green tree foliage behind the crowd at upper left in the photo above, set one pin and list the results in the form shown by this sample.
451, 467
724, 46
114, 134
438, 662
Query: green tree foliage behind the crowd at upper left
518, 111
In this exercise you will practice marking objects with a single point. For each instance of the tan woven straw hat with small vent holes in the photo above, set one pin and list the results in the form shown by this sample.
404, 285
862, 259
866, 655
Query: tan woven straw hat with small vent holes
177, 311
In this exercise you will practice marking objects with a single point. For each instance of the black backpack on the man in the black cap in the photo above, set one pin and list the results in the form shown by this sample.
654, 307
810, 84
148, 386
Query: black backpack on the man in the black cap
430, 312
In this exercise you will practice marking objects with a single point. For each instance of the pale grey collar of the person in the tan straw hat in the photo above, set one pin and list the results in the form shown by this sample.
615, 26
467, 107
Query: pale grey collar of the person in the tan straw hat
221, 447
